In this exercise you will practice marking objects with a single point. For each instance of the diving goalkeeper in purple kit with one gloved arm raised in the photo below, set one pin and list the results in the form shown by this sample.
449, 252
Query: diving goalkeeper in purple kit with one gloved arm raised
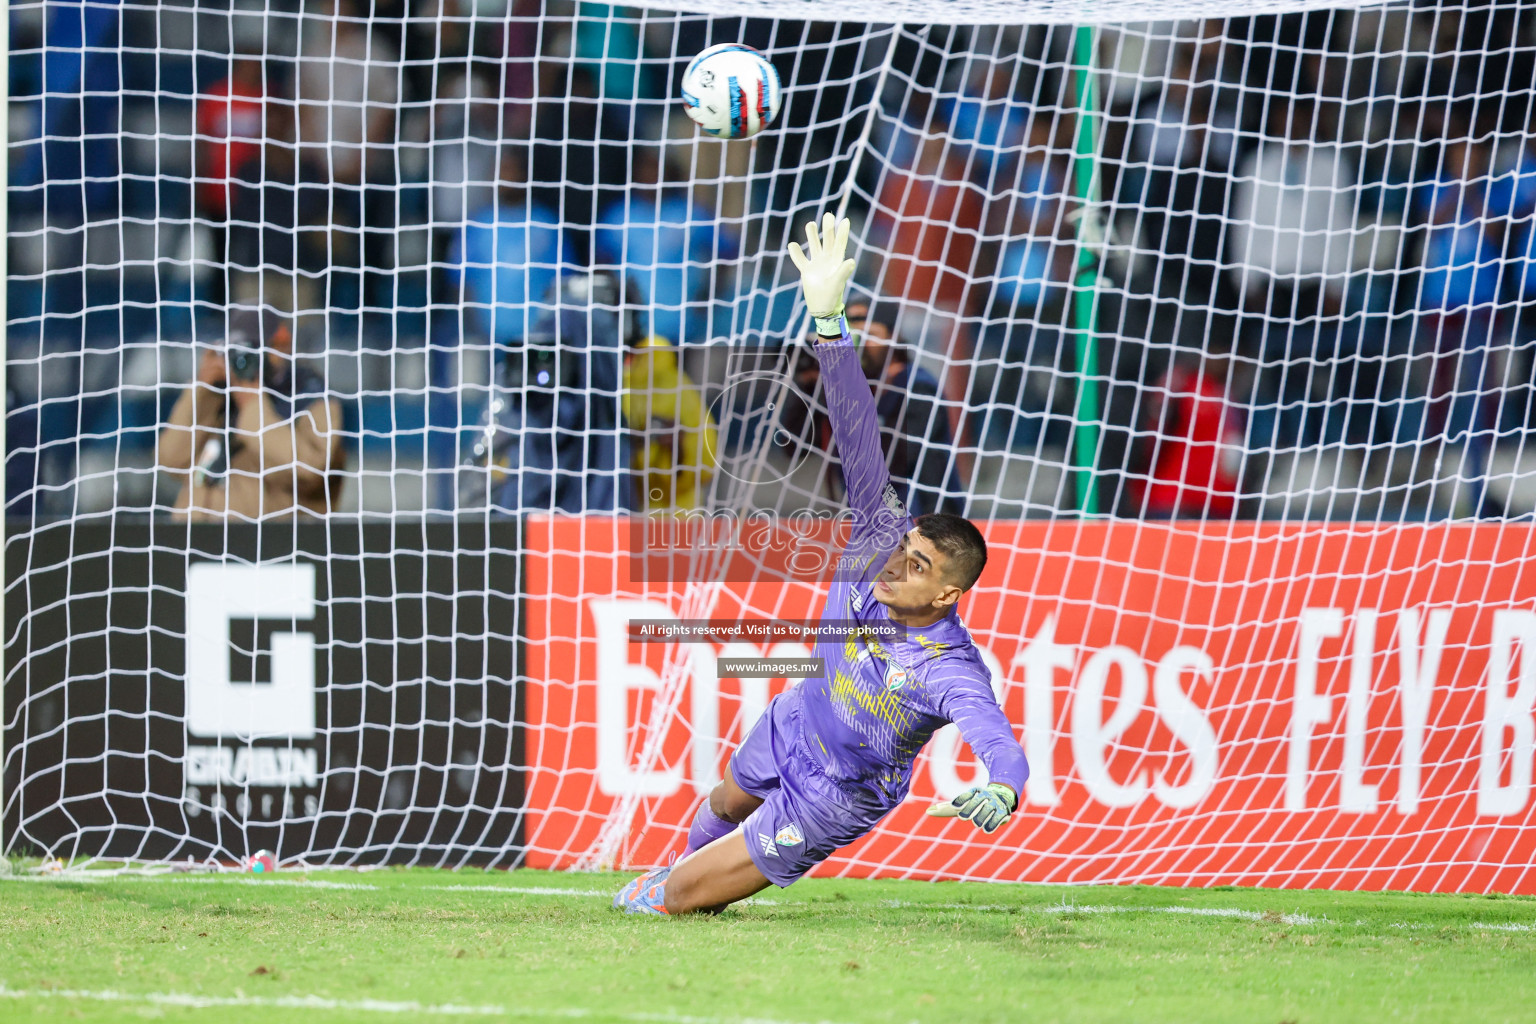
833, 756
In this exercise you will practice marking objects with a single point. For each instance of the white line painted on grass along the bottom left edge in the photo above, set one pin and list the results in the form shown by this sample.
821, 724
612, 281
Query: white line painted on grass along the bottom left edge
374, 1006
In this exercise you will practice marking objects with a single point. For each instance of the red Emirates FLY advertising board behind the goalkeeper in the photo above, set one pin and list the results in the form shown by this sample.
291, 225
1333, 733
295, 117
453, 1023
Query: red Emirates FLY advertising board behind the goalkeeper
1316, 705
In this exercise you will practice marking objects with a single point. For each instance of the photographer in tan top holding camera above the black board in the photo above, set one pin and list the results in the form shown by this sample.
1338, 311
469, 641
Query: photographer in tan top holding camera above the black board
254, 437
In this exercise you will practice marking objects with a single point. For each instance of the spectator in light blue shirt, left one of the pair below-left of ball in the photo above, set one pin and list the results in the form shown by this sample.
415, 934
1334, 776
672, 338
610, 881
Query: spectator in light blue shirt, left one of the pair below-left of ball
509, 256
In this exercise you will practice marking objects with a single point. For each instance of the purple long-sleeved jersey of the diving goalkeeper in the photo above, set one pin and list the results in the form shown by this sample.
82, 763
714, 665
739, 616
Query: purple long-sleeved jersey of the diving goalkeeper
881, 701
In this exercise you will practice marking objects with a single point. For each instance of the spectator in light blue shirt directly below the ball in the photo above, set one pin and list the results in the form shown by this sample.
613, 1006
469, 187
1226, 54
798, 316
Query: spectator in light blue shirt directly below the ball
667, 245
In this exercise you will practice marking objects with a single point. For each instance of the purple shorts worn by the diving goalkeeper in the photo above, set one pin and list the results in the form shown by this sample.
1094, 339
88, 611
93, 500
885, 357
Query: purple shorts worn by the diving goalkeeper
806, 818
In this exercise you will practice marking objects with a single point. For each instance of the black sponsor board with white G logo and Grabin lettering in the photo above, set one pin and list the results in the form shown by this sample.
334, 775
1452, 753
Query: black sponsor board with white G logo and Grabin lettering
408, 652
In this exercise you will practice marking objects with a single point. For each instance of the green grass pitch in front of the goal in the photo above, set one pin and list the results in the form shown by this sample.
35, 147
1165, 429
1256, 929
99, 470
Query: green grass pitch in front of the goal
531, 946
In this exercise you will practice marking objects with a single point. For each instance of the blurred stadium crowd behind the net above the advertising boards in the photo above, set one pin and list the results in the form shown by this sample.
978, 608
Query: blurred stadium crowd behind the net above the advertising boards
1305, 239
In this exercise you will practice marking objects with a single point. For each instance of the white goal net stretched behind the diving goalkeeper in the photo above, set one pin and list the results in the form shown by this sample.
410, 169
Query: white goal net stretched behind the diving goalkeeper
409, 426
